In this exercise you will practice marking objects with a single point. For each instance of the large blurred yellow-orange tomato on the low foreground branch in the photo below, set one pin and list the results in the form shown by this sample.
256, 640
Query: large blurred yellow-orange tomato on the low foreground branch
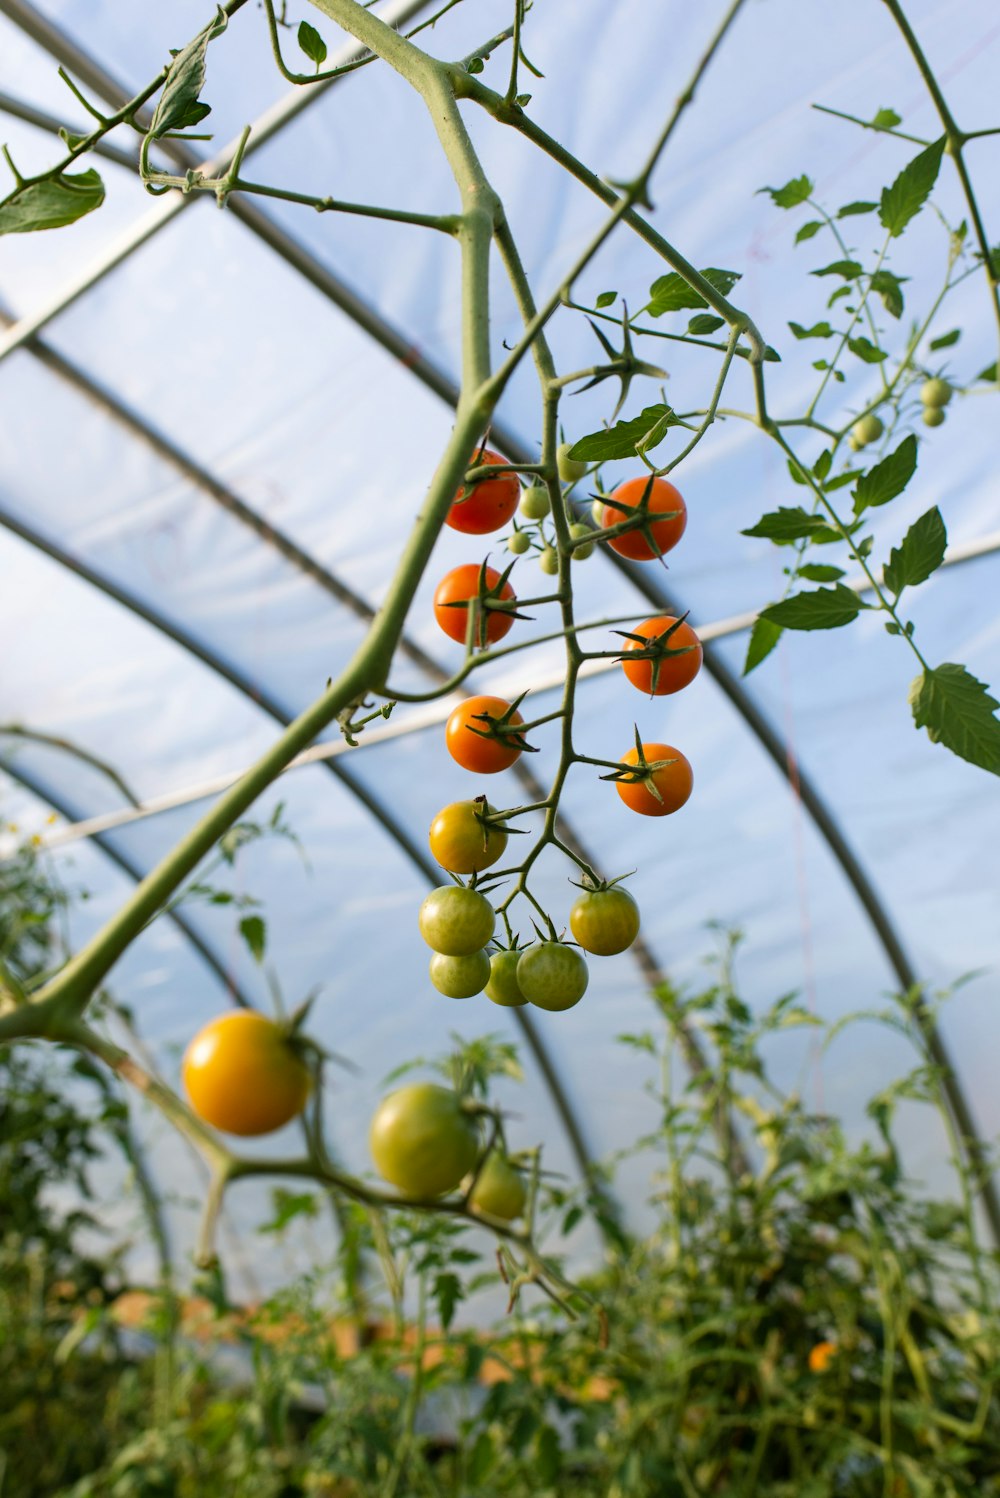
243, 1075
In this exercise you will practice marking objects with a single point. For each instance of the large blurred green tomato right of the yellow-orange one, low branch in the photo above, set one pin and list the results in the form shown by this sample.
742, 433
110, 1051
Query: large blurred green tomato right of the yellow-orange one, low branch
423, 1141
